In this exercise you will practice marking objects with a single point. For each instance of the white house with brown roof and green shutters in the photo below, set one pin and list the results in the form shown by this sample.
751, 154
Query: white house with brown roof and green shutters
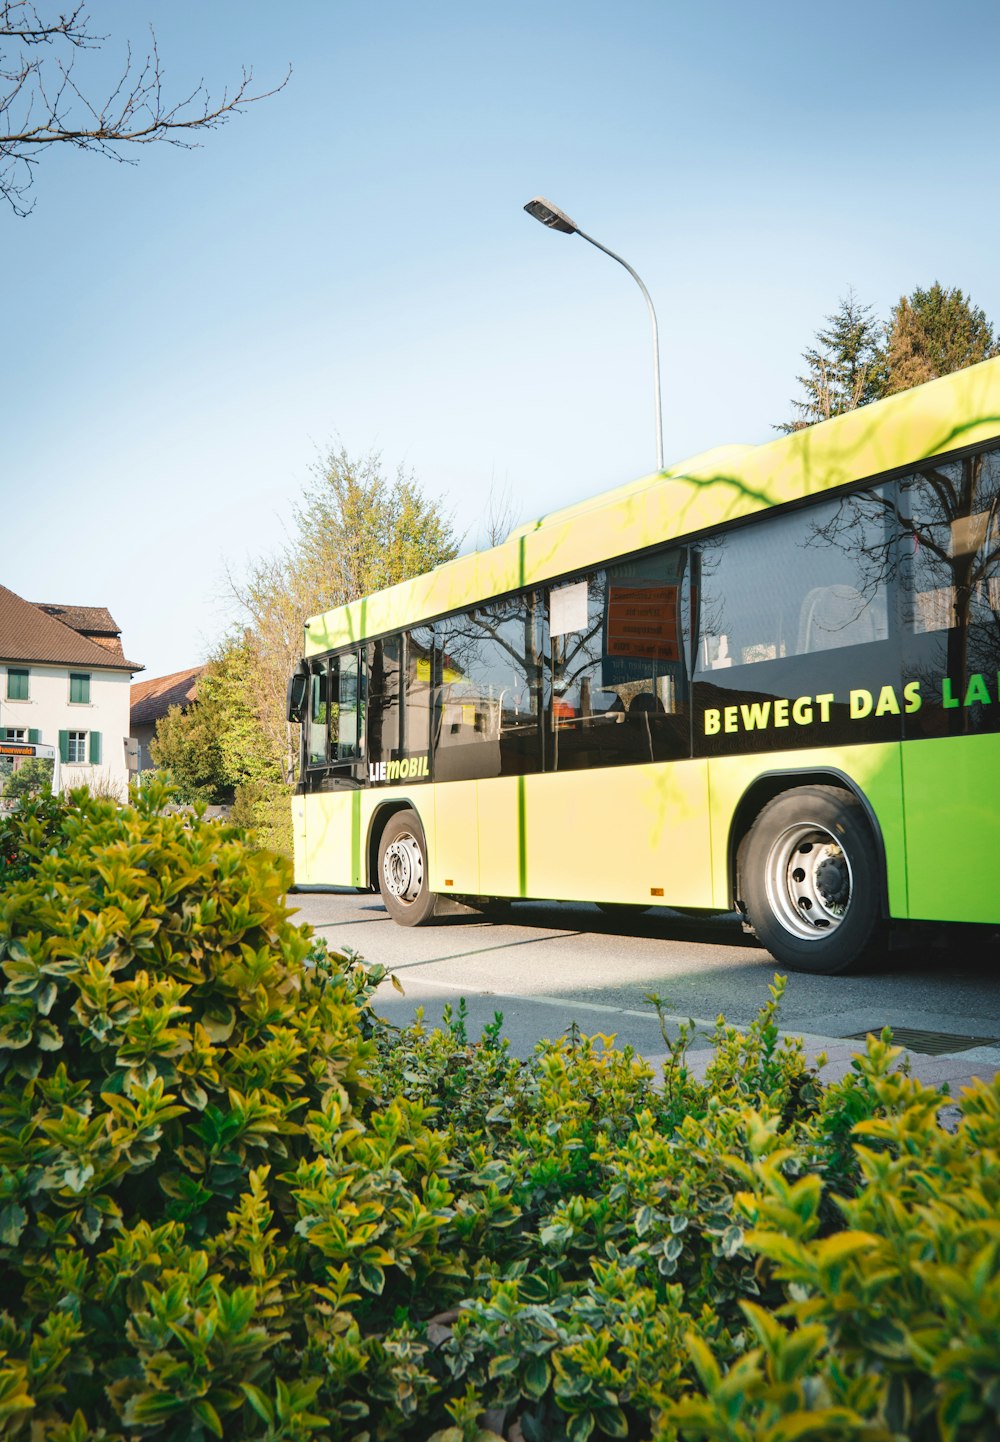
66, 681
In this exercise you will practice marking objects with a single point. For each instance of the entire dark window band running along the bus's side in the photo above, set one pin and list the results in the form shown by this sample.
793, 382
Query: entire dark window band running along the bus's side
867, 615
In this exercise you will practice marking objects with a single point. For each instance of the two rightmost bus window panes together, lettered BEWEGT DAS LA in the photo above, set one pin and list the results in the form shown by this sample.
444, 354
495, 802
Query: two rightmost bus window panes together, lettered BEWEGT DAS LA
862, 618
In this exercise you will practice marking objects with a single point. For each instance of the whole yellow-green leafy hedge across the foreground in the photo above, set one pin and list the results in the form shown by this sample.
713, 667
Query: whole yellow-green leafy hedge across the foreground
234, 1203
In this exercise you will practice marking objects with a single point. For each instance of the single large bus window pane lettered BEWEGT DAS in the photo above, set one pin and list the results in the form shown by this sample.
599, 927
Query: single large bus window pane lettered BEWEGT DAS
796, 622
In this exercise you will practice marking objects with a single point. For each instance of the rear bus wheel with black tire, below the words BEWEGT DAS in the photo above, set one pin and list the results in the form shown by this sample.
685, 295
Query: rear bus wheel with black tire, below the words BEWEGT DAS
812, 880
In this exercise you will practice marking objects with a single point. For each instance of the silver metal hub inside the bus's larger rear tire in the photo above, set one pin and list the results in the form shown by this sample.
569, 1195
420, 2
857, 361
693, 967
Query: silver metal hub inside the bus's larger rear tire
809, 882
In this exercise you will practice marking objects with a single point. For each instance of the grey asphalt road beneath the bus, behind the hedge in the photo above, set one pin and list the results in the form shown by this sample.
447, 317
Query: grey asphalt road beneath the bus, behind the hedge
548, 965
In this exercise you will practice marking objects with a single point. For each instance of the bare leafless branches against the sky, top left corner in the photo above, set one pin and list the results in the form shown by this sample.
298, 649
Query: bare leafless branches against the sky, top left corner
41, 103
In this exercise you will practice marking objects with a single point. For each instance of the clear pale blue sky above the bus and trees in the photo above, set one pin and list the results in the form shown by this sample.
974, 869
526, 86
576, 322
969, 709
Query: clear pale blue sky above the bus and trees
350, 263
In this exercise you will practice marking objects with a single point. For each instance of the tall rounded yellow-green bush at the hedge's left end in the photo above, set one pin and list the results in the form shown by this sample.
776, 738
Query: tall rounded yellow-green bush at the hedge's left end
193, 1213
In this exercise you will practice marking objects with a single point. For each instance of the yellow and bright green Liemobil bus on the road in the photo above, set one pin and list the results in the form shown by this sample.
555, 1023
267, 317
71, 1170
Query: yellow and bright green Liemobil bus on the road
763, 680
